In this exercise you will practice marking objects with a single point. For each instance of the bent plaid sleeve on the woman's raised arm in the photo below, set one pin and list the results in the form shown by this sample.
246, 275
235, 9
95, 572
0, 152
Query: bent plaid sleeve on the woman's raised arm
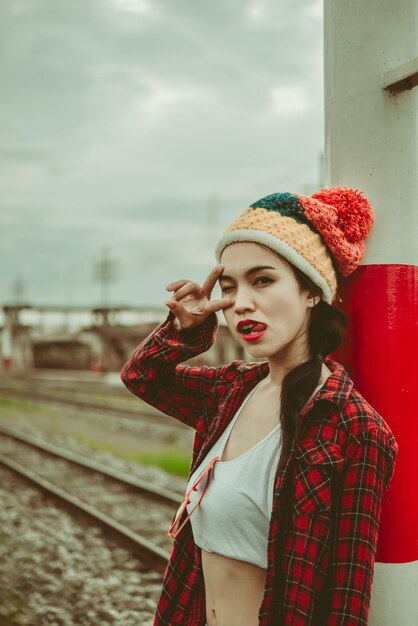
154, 374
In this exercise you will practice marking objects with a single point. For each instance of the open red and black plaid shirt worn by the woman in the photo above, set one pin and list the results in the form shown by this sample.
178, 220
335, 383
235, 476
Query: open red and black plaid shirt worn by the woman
327, 499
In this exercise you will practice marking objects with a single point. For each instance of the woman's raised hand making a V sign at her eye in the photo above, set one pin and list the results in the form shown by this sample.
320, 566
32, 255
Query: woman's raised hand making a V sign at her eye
191, 303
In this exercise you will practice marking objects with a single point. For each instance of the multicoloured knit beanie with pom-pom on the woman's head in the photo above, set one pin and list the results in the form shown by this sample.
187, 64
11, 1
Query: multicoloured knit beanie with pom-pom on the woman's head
323, 235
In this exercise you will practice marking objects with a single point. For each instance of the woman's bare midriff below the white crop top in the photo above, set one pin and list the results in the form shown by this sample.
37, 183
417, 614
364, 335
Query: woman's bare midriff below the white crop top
234, 590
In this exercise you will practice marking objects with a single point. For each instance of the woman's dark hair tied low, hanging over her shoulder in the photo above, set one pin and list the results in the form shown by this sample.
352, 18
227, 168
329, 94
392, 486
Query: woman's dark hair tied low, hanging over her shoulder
325, 333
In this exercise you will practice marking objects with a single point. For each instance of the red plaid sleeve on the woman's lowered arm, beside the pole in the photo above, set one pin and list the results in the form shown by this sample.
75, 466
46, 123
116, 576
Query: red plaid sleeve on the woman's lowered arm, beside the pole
358, 510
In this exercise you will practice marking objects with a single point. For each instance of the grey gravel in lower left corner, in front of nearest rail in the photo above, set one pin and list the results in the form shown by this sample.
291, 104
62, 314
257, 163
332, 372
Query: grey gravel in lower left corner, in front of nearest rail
58, 572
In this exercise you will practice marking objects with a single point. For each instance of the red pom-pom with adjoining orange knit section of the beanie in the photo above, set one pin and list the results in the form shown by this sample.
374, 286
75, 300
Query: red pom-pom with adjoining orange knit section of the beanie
344, 218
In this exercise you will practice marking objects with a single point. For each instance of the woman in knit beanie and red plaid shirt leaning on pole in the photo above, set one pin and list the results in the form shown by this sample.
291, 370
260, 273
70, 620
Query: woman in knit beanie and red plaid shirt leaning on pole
280, 521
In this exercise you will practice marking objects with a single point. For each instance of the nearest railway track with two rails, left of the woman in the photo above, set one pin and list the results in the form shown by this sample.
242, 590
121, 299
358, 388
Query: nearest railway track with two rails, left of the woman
133, 513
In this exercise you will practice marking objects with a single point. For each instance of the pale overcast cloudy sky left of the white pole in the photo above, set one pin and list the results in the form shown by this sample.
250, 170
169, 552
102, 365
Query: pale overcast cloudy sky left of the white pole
144, 127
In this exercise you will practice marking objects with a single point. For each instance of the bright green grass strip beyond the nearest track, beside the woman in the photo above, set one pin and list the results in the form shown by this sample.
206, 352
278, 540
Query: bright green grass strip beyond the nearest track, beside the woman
171, 459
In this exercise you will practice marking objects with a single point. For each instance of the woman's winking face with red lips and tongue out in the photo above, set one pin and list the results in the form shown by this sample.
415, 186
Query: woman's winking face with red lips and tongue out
268, 297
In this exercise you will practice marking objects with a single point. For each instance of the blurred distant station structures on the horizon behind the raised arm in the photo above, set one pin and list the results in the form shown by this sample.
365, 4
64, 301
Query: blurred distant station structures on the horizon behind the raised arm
103, 345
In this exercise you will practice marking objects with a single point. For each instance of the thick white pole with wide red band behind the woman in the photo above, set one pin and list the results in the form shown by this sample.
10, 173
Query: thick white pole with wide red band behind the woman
371, 143
